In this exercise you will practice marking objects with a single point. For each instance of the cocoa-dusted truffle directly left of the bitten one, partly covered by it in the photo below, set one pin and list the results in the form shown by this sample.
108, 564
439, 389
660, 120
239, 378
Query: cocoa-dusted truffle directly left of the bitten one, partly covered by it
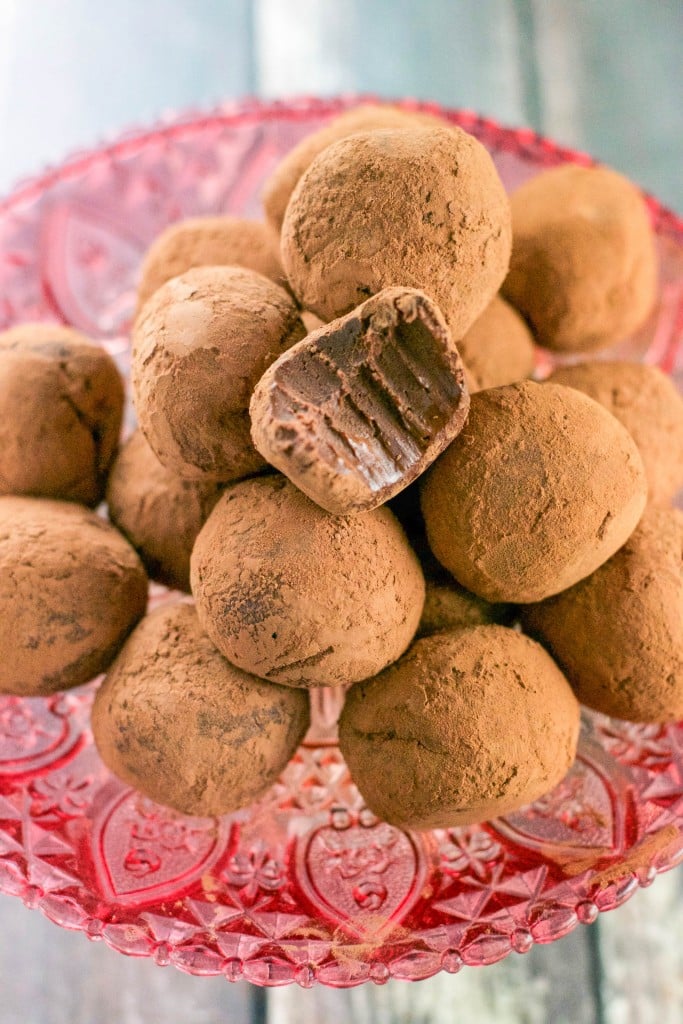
202, 344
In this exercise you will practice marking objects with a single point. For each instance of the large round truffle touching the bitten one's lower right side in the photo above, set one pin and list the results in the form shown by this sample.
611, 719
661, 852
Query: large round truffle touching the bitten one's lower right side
541, 487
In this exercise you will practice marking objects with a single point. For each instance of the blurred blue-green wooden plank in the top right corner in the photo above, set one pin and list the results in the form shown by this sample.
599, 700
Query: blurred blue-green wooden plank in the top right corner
611, 81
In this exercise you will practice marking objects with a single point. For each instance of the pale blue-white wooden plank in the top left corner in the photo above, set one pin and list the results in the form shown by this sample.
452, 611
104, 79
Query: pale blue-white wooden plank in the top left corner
72, 72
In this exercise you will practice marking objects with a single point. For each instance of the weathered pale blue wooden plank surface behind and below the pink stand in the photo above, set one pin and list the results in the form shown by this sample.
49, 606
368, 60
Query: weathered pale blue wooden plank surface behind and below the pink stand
602, 75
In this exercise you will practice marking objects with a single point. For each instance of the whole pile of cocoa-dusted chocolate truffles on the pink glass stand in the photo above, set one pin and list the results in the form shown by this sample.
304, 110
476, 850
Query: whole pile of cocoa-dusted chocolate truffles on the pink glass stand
341, 456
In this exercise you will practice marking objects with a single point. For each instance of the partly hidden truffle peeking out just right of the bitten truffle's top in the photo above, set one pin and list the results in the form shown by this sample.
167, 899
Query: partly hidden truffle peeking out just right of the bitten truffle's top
498, 349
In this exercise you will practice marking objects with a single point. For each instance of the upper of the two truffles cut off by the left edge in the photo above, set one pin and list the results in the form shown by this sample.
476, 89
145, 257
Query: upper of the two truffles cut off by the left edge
61, 409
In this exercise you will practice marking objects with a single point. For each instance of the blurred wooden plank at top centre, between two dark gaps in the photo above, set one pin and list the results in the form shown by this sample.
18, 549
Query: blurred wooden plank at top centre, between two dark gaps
465, 55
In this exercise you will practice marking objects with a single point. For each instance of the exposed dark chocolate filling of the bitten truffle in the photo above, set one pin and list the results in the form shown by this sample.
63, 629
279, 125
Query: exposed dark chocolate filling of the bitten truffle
370, 395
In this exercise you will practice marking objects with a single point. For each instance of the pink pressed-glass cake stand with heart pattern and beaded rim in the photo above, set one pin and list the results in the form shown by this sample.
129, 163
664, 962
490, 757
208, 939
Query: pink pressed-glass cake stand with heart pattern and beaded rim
307, 885
